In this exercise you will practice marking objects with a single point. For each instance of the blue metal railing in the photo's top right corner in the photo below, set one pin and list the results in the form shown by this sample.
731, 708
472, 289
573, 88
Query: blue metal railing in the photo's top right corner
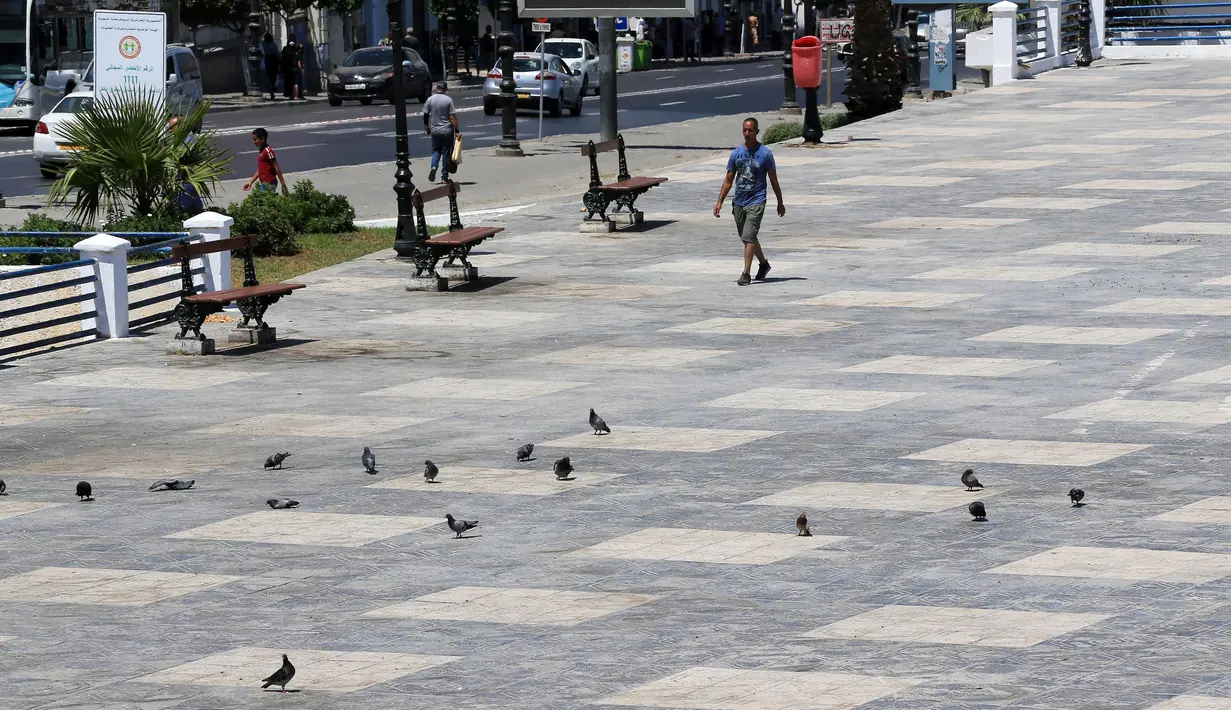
1173, 24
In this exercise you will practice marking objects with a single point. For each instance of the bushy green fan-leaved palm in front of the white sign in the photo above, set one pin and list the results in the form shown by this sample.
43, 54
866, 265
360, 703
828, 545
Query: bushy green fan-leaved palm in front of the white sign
134, 162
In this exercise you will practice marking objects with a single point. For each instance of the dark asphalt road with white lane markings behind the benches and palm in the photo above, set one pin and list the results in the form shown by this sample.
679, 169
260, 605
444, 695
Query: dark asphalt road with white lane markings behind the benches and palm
316, 136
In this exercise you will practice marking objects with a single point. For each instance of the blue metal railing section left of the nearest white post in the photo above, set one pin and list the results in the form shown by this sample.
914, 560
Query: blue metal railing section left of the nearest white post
87, 313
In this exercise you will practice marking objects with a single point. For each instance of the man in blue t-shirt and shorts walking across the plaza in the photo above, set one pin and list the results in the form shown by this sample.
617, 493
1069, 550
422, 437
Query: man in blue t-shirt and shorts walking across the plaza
748, 169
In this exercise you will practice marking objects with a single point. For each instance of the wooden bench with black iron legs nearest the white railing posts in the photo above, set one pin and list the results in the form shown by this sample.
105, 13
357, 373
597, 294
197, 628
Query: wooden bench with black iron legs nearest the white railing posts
253, 298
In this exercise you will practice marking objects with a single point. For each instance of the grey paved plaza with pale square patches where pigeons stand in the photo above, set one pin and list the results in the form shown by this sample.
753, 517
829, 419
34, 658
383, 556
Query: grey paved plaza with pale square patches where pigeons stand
1031, 282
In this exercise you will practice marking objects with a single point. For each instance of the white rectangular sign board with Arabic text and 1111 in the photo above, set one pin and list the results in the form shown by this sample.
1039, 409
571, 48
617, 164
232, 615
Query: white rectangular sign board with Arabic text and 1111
130, 55
